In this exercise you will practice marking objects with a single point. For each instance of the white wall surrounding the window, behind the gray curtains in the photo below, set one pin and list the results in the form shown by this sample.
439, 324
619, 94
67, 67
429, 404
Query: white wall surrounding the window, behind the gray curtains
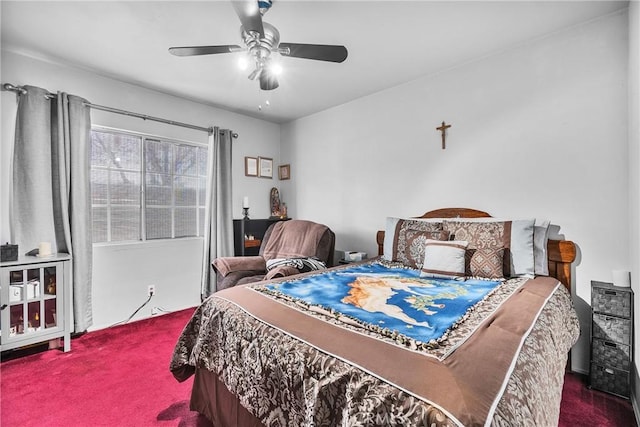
122, 272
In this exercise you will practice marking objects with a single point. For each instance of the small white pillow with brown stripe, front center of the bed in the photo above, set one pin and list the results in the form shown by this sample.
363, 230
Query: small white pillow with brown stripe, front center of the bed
444, 259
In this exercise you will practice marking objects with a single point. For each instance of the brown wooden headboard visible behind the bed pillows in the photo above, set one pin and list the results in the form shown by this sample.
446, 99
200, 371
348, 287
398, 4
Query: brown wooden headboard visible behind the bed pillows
561, 253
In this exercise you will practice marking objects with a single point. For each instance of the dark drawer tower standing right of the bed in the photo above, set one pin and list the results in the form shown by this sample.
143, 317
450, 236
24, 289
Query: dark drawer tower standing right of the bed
611, 338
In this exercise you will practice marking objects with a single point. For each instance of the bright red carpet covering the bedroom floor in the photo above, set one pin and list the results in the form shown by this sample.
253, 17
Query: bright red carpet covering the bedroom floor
120, 377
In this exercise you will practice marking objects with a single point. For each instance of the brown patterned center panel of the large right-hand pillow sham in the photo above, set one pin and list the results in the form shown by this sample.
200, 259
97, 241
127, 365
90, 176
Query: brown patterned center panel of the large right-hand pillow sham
483, 235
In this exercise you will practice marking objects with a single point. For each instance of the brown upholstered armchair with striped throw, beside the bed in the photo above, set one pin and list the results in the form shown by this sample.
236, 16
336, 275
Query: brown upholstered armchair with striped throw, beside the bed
288, 247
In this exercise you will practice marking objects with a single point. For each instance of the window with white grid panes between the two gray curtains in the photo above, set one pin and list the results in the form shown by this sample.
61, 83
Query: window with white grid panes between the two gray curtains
146, 188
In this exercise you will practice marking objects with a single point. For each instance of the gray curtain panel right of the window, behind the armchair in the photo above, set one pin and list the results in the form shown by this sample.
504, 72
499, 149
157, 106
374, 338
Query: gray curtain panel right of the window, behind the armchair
218, 223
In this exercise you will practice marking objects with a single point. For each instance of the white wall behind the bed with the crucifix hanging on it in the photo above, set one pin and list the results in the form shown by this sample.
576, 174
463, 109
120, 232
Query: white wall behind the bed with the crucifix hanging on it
537, 131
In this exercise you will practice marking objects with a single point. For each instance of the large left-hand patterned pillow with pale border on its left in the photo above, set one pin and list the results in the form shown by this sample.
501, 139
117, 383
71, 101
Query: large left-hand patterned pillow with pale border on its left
405, 239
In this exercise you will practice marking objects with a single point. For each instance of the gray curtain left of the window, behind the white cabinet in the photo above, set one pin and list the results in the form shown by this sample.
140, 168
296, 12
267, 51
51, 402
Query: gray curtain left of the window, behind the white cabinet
51, 196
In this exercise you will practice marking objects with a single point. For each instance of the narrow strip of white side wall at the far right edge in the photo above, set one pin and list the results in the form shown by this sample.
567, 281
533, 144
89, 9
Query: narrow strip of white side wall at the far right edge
634, 177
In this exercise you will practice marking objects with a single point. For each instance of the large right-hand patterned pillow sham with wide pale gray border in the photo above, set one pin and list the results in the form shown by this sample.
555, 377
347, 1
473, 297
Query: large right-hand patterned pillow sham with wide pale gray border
515, 236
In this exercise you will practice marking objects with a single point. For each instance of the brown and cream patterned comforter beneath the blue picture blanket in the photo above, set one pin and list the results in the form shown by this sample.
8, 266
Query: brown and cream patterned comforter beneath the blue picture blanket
291, 362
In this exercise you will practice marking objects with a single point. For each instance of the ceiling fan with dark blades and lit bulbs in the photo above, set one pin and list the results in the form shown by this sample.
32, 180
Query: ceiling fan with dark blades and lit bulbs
261, 39
